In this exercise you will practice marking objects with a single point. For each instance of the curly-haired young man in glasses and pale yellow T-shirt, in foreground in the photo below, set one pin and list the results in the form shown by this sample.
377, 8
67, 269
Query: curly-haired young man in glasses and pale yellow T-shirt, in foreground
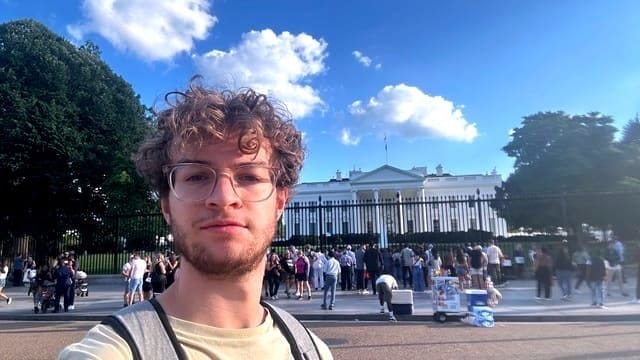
223, 164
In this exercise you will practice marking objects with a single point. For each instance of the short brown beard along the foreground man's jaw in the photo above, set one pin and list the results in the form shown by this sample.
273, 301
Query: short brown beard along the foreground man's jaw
224, 267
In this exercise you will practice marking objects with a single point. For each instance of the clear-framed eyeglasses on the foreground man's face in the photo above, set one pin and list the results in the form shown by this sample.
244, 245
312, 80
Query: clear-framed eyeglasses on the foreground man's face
194, 182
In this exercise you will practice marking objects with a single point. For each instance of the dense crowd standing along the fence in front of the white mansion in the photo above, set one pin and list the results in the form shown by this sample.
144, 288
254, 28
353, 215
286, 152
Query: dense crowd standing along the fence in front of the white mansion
301, 271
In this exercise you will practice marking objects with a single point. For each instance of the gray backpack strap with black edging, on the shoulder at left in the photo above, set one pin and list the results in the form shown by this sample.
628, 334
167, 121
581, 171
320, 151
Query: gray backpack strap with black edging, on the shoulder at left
146, 329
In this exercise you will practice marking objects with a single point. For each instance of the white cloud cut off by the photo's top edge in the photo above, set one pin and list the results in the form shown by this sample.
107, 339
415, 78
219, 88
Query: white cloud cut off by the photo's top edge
151, 29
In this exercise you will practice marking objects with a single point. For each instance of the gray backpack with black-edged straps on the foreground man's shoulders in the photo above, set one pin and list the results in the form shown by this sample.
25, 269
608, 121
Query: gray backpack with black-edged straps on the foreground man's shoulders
145, 328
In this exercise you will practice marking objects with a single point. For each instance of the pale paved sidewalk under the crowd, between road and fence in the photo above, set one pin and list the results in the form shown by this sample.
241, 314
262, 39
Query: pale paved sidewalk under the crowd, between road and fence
518, 304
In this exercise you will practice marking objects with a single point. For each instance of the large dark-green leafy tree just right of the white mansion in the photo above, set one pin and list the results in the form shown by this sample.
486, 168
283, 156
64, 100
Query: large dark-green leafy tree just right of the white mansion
557, 153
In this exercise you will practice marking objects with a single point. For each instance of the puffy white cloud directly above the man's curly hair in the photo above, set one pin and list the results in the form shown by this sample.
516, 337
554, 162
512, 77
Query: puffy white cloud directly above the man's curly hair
278, 65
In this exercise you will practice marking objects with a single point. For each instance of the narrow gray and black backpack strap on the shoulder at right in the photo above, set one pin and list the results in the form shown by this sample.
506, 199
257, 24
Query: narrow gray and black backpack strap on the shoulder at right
302, 345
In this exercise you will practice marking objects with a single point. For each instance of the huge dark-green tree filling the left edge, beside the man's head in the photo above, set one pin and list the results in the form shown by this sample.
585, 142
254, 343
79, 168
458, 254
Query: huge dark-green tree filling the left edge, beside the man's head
68, 126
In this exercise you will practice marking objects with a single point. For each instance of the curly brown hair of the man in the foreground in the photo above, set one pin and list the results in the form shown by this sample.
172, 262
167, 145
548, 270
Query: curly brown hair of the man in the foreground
200, 115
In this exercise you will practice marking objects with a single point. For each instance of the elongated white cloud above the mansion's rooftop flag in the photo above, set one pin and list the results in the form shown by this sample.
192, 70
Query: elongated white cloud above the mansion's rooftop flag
408, 111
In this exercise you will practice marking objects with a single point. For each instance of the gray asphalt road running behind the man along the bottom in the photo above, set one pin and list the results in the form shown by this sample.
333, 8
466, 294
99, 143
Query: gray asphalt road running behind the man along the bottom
381, 340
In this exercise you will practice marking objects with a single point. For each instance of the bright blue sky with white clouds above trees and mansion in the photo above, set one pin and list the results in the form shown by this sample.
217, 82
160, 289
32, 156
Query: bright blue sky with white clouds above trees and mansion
444, 80
